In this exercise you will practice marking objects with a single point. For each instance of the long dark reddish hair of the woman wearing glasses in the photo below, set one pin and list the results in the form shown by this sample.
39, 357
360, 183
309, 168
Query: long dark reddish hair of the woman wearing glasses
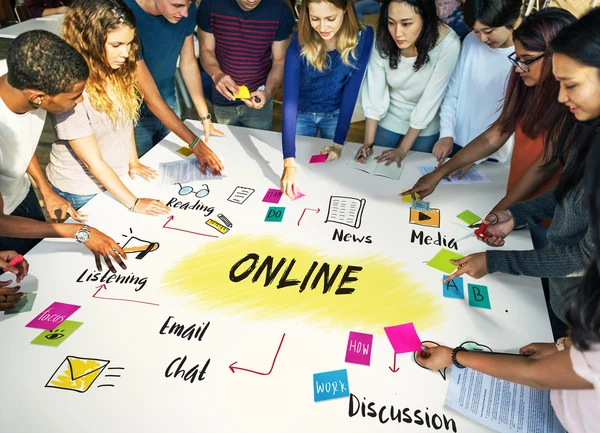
536, 109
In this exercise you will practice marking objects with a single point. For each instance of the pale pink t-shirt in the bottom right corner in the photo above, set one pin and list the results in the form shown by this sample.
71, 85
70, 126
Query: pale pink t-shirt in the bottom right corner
579, 411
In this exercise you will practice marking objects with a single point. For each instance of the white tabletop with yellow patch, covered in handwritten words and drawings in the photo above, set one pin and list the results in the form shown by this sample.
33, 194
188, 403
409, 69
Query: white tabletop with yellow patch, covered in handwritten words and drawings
189, 277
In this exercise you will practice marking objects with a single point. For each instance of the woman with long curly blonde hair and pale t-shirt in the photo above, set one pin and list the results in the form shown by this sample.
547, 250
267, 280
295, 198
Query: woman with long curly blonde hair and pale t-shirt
95, 145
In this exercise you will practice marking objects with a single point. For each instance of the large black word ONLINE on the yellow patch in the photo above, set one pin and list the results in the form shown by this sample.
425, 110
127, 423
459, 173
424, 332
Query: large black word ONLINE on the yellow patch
243, 268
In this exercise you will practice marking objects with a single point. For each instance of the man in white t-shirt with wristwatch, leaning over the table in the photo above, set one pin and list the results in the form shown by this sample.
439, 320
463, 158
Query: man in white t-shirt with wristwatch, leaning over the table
42, 73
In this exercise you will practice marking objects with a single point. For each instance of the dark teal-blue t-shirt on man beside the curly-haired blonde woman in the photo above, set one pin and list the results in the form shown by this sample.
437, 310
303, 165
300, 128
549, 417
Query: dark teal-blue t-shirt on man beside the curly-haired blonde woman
161, 43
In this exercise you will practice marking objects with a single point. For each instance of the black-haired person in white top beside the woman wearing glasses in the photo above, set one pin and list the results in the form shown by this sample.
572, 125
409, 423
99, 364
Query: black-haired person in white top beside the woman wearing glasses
476, 90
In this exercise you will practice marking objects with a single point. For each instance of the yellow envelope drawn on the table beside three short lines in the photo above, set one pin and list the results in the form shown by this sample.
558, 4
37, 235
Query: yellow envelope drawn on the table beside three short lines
77, 374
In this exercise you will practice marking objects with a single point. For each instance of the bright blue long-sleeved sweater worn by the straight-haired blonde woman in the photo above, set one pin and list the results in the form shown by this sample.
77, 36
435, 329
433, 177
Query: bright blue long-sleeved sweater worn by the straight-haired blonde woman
336, 87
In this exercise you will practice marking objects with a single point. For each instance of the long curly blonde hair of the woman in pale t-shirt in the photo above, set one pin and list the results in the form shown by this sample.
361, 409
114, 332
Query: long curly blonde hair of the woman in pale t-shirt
114, 92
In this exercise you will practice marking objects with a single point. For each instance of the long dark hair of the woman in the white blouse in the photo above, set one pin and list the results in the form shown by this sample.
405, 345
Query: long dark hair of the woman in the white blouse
386, 45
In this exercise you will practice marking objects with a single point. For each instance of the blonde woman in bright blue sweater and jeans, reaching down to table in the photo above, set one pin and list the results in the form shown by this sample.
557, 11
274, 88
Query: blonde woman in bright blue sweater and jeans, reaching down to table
324, 68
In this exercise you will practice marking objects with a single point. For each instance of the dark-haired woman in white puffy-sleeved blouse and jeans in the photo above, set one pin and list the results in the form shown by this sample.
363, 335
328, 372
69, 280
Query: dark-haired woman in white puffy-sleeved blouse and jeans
408, 72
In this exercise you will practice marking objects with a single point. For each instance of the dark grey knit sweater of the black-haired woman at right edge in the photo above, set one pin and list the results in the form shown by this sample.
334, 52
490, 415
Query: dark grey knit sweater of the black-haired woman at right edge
564, 261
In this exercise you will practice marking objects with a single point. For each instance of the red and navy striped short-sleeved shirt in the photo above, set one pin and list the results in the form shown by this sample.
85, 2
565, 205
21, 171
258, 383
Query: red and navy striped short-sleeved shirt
244, 38
